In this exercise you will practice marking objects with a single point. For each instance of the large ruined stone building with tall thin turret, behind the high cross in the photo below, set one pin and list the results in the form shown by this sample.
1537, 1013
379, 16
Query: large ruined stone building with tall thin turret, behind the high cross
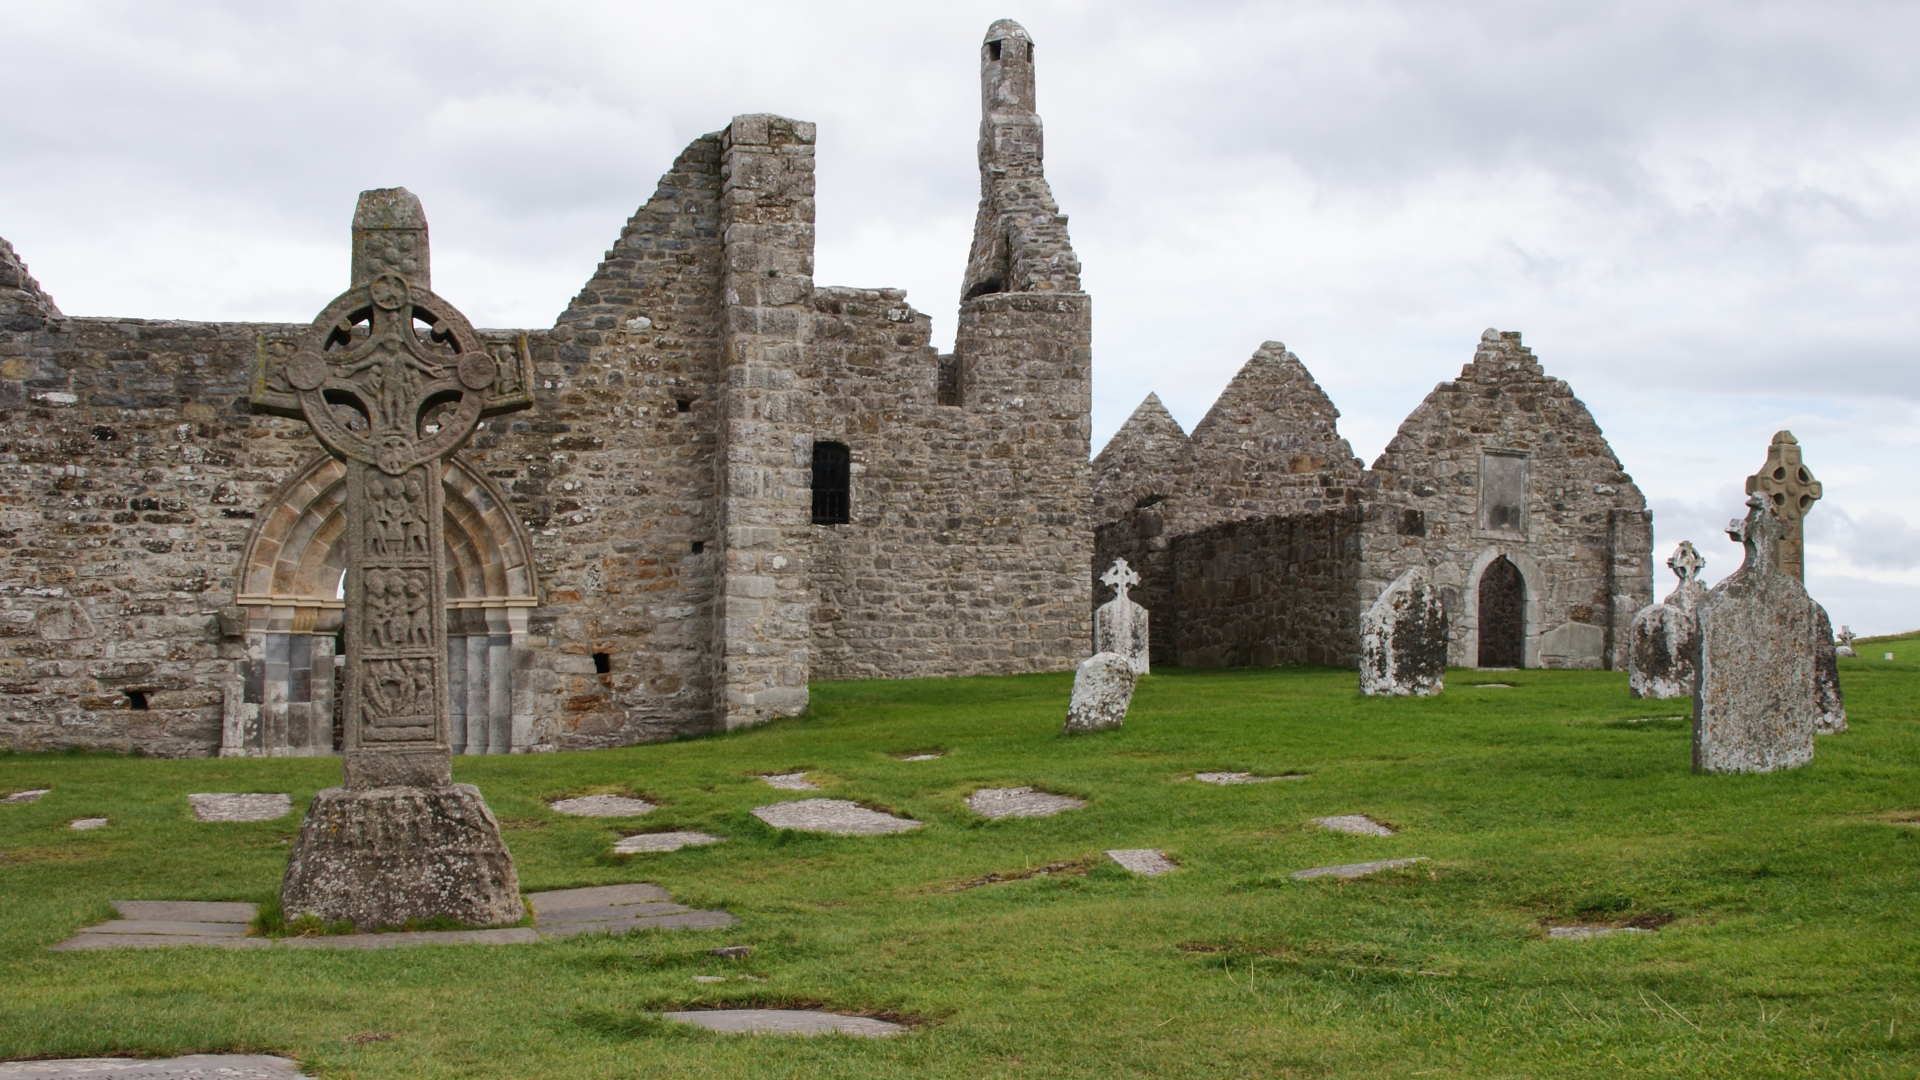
633, 556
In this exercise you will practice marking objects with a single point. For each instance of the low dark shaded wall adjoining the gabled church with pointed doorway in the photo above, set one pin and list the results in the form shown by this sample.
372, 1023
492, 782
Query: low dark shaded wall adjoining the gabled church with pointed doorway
1268, 591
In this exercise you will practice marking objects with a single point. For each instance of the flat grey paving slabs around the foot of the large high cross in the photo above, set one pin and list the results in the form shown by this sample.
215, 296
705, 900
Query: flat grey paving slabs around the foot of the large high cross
160, 923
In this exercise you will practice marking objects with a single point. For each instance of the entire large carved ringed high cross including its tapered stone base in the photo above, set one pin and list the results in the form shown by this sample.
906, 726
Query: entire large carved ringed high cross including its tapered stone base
400, 841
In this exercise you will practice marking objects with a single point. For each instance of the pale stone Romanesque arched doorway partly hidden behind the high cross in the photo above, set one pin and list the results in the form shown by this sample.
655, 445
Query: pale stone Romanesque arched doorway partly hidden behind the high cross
289, 585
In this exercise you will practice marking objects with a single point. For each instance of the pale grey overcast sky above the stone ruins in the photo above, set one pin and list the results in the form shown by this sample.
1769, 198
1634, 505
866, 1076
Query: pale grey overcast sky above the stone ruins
1704, 216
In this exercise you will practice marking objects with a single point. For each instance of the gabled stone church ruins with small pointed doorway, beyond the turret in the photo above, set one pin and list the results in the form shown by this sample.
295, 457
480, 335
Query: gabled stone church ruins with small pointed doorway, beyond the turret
1260, 539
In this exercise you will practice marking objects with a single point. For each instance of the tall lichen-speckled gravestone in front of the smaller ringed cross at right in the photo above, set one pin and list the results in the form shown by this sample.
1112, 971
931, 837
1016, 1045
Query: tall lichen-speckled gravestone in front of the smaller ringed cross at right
1758, 662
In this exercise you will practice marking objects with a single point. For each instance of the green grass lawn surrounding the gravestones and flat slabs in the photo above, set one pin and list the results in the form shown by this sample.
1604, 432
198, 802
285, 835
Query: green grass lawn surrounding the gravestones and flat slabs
1790, 943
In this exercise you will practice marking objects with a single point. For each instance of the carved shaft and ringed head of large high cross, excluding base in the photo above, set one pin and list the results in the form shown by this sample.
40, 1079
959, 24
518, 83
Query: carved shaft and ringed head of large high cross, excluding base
393, 381
